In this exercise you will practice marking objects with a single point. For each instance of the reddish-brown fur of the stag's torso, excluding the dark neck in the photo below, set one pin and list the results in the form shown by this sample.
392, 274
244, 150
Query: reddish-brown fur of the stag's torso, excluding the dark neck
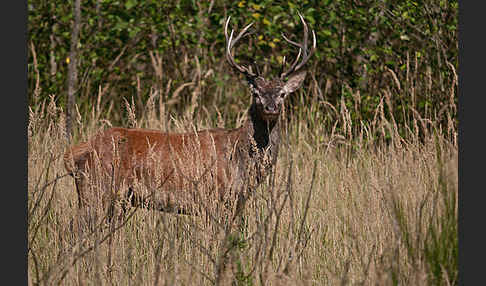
179, 159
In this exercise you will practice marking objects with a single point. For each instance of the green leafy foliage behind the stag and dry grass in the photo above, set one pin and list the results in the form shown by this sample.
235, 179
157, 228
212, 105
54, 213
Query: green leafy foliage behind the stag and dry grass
404, 52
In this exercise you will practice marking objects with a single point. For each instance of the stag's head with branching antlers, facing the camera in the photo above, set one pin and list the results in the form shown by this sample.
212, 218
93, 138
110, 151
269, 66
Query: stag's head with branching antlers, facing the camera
269, 95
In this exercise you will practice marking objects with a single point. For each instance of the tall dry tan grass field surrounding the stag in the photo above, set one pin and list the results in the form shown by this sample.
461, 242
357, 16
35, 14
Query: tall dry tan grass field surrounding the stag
346, 205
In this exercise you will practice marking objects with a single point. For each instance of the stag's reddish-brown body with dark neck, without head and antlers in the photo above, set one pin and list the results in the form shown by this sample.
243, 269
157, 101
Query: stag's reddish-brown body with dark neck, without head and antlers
220, 155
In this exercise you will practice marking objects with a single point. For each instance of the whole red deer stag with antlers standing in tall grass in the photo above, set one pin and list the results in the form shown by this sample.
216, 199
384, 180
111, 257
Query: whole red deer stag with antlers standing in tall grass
225, 157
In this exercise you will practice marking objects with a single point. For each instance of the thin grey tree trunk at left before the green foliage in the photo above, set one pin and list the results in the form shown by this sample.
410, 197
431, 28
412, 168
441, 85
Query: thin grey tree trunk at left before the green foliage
73, 68
